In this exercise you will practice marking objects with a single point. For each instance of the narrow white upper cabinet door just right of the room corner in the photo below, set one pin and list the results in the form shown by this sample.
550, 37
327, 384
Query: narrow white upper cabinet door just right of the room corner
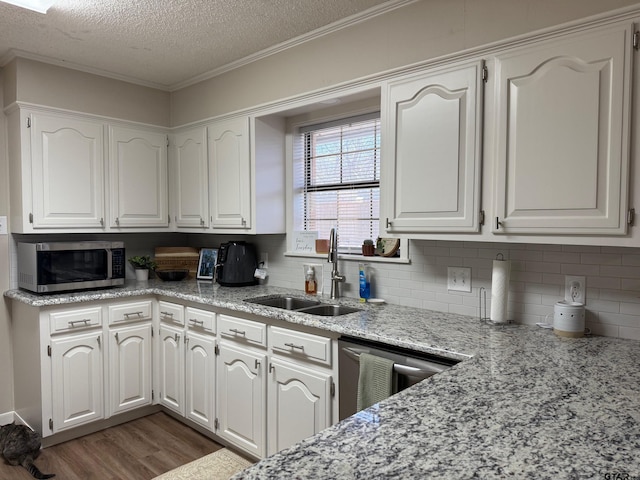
191, 180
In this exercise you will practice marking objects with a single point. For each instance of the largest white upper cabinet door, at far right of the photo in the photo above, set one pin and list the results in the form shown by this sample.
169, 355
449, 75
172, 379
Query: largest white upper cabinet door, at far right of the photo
562, 135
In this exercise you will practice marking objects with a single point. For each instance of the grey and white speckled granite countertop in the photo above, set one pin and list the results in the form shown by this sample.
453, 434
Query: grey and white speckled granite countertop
523, 403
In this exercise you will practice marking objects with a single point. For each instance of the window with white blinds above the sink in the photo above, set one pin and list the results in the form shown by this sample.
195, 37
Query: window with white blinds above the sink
337, 180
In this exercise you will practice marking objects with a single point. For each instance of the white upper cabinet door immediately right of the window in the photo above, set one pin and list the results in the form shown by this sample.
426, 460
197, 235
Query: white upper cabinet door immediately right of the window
434, 125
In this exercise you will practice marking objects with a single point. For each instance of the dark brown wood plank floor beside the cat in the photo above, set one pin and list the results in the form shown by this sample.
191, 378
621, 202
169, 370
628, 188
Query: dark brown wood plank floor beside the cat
138, 450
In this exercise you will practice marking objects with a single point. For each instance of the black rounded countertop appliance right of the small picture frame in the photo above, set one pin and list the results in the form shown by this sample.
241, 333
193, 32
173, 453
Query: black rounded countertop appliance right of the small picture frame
237, 263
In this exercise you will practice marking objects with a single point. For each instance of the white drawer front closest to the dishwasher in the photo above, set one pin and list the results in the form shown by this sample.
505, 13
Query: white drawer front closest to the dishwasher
301, 345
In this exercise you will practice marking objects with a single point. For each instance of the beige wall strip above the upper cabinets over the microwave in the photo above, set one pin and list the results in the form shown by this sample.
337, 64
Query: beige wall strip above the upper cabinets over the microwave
44, 84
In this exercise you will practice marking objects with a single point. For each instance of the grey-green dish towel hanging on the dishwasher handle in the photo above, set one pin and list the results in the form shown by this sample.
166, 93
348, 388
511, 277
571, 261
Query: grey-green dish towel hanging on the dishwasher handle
375, 382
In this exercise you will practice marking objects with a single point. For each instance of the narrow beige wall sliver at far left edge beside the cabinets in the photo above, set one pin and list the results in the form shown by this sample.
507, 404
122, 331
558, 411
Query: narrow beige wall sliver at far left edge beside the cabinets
6, 363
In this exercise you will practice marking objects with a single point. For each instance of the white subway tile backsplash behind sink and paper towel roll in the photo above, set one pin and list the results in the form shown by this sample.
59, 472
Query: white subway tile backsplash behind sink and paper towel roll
537, 279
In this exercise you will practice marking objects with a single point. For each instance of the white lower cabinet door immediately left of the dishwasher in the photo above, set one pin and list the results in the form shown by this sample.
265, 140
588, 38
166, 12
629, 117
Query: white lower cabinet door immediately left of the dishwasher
299, 404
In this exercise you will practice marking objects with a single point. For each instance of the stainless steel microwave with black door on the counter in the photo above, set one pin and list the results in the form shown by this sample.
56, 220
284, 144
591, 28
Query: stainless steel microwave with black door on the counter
67, 266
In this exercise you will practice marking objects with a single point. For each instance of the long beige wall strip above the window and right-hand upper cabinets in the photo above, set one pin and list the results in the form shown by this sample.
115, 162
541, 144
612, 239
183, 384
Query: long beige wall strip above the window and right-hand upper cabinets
411, 34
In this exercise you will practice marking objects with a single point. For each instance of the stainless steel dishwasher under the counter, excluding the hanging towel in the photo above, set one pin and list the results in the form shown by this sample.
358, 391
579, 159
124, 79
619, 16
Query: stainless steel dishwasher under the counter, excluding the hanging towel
410, 367
